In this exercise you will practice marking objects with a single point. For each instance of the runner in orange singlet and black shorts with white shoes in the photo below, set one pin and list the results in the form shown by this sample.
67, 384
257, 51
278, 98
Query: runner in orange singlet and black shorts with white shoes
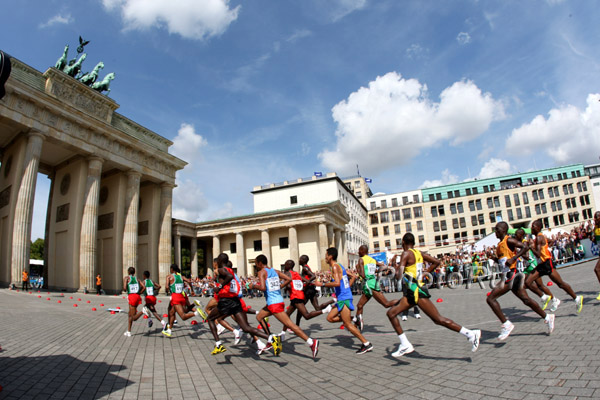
508, 255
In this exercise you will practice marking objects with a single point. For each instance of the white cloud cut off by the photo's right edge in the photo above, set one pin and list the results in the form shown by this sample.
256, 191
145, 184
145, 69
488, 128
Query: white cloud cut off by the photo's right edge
568, 135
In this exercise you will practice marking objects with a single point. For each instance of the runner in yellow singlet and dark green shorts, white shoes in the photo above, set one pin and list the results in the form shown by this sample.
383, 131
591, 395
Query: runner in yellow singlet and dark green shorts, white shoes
411, 271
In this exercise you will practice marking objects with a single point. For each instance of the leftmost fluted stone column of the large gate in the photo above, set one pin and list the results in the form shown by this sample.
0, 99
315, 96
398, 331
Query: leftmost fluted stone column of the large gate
21, 242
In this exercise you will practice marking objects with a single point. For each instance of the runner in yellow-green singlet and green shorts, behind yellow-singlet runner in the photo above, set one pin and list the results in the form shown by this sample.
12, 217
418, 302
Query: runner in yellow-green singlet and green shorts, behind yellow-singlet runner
367, 268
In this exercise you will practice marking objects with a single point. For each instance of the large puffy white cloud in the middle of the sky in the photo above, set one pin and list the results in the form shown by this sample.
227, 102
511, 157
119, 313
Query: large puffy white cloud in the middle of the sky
393, 112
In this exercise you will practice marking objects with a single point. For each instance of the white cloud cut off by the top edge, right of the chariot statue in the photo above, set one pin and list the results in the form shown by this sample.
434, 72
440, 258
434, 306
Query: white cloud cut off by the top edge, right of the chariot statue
192, 19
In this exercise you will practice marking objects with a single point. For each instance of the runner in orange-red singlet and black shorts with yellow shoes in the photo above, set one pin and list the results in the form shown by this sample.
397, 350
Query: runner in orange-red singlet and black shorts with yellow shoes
545, 267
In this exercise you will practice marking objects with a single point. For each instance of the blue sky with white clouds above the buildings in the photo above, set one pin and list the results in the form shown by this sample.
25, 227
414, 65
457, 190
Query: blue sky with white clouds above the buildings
416, 93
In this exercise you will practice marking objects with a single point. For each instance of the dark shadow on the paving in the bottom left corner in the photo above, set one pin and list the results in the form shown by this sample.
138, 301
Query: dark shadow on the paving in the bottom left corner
51, 376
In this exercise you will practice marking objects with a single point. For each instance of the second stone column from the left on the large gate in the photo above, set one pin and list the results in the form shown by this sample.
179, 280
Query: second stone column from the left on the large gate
89, 226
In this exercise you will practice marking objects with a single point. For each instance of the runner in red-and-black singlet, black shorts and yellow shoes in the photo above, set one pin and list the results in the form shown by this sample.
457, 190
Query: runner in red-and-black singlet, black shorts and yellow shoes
229, 304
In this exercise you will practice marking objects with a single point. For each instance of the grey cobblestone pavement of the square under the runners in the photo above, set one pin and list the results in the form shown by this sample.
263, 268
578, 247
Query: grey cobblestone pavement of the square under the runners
53, 350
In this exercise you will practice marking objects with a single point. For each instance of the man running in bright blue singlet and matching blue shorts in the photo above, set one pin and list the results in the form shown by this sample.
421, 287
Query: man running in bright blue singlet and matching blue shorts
344, 307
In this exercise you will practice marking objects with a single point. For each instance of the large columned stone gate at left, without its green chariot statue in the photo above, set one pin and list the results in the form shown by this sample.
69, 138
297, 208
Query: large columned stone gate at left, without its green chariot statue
110, 199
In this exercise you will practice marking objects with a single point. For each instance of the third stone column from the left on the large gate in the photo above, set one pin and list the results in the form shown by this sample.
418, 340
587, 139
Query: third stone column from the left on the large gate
130, 237
